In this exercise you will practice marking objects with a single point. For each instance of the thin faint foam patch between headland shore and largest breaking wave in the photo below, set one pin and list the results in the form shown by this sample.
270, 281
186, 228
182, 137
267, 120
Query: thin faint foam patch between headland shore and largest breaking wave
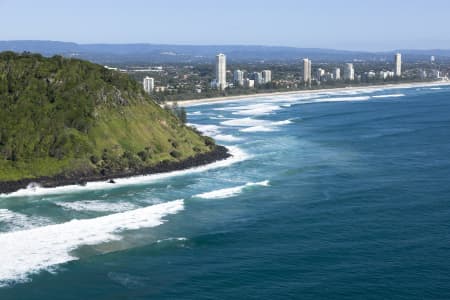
97, 206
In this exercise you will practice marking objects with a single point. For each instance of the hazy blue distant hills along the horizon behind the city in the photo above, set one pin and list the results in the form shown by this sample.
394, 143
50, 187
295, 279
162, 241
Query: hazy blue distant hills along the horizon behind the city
153, 53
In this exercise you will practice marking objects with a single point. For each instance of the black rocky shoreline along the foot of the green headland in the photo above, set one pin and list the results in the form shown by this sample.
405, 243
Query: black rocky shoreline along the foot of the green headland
219, 154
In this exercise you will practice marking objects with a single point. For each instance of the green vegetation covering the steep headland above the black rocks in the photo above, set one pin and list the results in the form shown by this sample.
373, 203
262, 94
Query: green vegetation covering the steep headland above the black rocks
70, 117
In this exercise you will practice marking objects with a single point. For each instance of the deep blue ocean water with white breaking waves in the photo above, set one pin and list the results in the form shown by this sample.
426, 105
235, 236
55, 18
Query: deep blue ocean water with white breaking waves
336, 196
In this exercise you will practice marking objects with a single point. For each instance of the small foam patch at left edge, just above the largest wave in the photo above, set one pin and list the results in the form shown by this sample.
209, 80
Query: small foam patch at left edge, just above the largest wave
14, 221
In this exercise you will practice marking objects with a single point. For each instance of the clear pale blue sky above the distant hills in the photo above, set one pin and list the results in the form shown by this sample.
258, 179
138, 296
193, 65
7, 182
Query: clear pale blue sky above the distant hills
339, 24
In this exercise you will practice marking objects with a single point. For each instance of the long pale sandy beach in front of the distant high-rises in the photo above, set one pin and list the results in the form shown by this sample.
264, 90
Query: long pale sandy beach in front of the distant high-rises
204, 101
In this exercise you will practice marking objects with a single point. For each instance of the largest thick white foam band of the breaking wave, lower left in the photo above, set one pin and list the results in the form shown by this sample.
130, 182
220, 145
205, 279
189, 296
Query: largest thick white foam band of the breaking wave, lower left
31, 251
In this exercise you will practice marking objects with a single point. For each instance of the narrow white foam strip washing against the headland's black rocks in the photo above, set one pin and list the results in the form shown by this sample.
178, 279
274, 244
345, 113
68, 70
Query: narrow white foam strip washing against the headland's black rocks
237, 155
